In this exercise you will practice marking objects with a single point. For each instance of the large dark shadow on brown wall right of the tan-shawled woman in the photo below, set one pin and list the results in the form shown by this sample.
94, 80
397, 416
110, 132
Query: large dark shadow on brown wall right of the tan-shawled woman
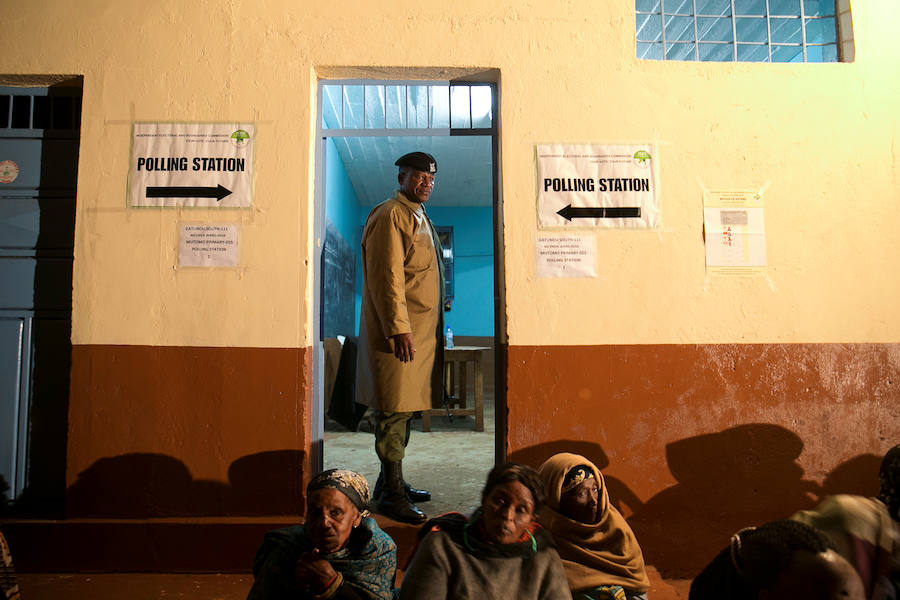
742, 476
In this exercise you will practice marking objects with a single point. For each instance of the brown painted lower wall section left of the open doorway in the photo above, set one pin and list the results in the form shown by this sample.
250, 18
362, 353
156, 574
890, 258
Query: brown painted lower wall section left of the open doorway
182, 432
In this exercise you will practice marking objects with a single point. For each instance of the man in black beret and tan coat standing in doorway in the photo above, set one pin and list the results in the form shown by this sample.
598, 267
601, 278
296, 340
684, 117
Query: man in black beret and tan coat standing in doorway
400, 361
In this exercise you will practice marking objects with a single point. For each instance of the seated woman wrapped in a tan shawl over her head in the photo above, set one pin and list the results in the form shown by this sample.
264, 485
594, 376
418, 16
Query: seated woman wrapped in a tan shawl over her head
599, 551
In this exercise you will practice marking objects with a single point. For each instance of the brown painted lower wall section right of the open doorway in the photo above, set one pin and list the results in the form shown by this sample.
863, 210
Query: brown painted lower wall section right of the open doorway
698, 441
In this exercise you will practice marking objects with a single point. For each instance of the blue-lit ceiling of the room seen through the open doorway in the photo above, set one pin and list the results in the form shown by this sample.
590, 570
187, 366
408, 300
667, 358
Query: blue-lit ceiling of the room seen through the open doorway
372, 124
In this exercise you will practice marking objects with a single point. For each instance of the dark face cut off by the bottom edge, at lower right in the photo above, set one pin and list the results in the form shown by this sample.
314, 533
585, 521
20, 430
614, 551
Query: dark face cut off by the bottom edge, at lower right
811, 576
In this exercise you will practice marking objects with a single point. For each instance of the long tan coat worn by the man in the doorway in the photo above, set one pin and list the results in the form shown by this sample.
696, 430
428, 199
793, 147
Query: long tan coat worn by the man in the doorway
401, 294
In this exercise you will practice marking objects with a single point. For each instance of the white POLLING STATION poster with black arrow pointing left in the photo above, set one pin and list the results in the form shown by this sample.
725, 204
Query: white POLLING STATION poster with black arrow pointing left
604, 186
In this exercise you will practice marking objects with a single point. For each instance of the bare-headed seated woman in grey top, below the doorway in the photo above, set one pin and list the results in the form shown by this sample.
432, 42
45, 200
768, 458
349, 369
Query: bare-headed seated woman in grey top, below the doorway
499, 552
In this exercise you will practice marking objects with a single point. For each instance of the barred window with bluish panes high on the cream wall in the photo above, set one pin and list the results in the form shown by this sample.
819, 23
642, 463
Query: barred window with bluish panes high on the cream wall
738, 30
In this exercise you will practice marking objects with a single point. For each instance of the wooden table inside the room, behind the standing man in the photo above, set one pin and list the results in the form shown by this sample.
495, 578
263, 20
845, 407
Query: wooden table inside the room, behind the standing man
456, 361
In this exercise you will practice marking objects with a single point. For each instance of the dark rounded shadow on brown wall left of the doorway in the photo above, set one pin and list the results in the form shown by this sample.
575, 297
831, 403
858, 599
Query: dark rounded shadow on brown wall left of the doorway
147, 485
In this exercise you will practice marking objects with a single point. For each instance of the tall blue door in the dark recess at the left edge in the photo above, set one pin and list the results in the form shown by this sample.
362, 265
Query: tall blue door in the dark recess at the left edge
40, 134
